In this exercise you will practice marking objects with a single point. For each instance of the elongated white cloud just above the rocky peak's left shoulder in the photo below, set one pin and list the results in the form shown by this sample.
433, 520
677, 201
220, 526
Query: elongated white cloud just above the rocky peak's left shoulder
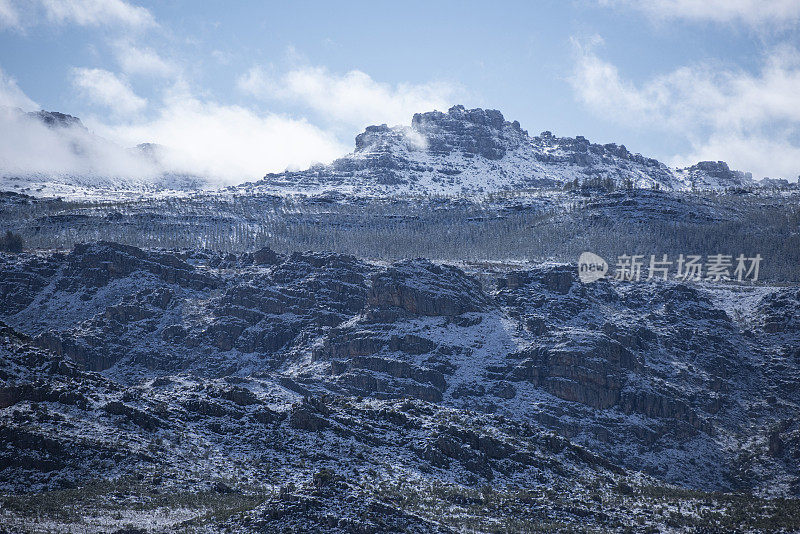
353, 98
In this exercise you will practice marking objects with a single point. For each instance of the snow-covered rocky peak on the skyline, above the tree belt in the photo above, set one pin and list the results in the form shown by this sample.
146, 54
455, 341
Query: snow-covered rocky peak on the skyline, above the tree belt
477, 150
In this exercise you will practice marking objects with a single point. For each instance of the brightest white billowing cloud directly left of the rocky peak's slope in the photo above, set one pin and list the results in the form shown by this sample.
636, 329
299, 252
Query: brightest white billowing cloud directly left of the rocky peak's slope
228, 143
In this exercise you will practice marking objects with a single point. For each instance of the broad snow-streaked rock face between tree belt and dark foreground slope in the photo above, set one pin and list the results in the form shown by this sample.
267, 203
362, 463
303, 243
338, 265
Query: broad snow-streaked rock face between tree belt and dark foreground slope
621, 368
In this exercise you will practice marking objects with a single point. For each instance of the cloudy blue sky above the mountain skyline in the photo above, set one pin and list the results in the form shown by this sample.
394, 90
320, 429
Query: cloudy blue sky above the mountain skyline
238, 89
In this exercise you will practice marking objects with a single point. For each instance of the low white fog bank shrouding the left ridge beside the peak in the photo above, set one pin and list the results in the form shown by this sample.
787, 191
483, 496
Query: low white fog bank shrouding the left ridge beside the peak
66, 151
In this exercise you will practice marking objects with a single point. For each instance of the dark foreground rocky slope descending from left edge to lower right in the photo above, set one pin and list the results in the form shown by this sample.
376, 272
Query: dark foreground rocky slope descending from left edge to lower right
52, 440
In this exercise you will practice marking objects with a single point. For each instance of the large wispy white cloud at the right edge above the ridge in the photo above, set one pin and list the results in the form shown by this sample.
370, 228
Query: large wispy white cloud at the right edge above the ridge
744, 118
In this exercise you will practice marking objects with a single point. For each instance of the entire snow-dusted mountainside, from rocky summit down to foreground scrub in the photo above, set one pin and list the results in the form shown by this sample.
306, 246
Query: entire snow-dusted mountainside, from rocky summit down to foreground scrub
248, 360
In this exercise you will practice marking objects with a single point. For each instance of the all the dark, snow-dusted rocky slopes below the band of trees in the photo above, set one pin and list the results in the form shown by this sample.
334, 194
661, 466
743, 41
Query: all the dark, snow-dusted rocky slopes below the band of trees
290, 386
